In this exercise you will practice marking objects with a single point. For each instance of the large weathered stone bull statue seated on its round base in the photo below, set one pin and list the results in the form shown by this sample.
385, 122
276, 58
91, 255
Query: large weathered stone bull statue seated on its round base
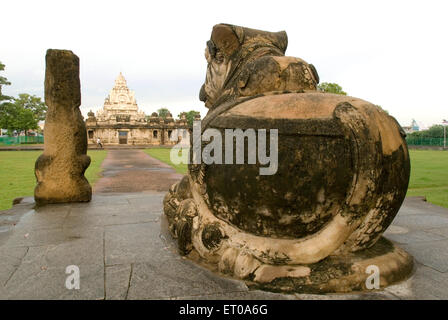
343, 172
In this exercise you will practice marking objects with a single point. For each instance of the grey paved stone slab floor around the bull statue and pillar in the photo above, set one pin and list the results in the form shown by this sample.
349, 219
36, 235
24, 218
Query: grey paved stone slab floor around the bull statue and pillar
120, 244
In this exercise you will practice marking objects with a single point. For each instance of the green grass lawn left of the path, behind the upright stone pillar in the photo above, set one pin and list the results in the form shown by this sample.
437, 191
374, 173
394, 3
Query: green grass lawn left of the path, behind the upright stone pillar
17, 173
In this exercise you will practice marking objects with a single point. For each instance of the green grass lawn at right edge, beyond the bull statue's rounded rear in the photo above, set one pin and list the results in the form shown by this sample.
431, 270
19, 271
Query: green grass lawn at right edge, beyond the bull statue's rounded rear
429, 176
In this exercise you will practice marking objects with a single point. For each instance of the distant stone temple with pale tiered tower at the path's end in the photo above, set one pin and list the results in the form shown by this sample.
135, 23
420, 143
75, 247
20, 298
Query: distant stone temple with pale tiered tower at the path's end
121, 122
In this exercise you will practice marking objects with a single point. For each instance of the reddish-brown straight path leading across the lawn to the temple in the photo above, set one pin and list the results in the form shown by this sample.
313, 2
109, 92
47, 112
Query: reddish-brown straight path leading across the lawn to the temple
132, 170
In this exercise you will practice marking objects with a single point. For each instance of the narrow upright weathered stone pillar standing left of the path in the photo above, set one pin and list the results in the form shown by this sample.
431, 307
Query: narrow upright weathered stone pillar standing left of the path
60, 169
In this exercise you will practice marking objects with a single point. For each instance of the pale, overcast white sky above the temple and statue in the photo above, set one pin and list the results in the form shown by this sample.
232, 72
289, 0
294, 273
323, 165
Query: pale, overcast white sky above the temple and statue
391, 53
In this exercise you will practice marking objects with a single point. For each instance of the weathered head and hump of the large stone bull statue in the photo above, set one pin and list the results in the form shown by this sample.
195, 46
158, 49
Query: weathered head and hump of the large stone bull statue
244, 62
